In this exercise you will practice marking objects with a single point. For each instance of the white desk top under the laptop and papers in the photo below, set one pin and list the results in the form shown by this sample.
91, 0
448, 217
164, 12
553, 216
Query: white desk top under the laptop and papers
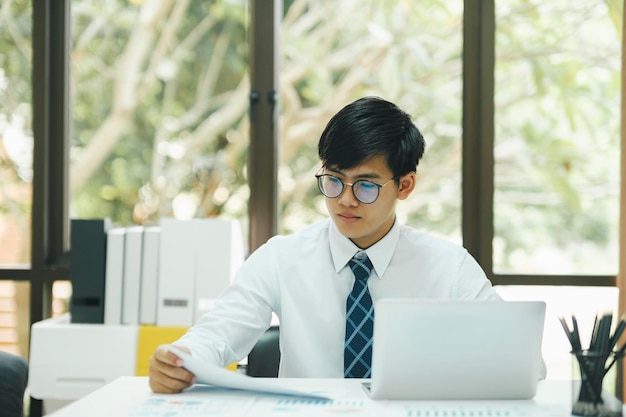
131, 397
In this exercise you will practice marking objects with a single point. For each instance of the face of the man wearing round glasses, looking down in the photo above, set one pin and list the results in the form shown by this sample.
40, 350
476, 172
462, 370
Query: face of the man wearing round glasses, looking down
366, 224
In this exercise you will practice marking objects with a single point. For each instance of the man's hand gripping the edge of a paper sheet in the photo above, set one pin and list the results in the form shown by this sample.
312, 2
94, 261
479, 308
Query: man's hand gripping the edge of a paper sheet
166, 374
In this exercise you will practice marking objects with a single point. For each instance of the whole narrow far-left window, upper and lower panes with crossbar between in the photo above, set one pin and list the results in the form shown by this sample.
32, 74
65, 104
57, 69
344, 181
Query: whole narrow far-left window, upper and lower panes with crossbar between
16, 173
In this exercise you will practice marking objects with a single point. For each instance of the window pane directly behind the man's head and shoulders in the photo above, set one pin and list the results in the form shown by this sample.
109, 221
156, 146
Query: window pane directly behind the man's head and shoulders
405, 51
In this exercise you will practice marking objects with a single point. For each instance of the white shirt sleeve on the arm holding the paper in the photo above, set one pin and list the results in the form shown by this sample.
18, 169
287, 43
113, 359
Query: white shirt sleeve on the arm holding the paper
243, 312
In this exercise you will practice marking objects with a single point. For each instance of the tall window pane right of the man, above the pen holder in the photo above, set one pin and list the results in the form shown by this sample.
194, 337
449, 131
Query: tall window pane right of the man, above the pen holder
557, 135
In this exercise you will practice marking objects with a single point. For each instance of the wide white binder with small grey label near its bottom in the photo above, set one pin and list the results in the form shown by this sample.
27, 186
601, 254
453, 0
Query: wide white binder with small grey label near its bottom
176, 273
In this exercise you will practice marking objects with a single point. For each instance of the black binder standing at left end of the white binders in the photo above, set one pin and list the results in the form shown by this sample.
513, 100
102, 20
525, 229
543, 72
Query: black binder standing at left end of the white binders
88, 246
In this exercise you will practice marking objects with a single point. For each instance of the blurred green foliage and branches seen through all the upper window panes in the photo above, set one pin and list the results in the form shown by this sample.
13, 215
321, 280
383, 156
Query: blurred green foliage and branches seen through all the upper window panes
159, 96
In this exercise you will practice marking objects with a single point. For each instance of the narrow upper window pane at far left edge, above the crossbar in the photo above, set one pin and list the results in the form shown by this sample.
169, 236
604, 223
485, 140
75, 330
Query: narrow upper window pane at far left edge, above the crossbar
16, 135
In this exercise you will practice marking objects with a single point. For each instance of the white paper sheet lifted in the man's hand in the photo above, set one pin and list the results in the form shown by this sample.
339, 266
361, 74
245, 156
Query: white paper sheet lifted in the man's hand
214, 375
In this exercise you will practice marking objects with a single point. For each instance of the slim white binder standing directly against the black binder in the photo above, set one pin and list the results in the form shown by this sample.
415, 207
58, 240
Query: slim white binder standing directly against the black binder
114, 276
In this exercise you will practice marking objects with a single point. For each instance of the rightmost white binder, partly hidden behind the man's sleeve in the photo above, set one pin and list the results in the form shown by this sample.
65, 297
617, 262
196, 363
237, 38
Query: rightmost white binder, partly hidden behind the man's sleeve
219, 253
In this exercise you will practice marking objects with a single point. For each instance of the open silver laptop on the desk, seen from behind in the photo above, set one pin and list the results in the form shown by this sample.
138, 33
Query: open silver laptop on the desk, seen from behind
456, 350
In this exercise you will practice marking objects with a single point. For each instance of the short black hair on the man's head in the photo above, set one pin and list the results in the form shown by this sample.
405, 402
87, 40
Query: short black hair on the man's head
368, 128
